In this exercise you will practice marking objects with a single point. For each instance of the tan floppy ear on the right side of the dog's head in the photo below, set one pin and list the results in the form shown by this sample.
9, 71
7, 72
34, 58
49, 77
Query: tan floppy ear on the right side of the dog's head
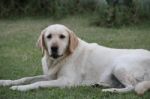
73, 41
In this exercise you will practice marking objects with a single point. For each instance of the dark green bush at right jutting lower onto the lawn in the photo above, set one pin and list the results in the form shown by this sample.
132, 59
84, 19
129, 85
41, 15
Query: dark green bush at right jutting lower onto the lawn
123, 12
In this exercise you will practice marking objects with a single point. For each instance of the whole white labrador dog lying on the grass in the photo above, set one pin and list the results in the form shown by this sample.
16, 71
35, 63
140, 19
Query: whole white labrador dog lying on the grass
69, 61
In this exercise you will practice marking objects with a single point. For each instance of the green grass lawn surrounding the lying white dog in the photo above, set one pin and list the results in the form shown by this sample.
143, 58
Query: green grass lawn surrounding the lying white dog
19, 56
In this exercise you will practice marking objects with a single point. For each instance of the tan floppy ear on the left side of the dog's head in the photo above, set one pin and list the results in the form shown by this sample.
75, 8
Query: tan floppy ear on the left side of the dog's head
41, 42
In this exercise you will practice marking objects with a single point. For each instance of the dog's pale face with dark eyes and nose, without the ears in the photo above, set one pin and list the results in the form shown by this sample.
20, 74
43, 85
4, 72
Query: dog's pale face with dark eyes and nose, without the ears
56, 39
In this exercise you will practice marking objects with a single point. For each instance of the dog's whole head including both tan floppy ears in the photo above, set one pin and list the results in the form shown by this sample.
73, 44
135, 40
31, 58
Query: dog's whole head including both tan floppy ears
57, 40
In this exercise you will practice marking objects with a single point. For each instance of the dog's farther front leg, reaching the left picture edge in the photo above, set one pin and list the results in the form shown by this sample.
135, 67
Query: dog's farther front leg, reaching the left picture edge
24, 80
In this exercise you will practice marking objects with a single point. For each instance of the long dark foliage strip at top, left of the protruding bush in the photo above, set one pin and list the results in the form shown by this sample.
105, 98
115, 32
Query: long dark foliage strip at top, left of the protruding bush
55, 8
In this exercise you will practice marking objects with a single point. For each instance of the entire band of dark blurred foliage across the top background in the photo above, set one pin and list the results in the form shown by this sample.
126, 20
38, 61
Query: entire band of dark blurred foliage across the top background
105, 12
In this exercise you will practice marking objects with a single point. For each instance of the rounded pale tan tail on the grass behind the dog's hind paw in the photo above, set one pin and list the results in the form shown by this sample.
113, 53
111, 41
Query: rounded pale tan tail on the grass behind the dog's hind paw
142, 87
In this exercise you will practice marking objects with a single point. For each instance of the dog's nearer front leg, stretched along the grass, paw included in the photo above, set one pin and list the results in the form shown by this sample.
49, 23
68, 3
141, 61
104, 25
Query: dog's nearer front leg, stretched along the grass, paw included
42, 84
